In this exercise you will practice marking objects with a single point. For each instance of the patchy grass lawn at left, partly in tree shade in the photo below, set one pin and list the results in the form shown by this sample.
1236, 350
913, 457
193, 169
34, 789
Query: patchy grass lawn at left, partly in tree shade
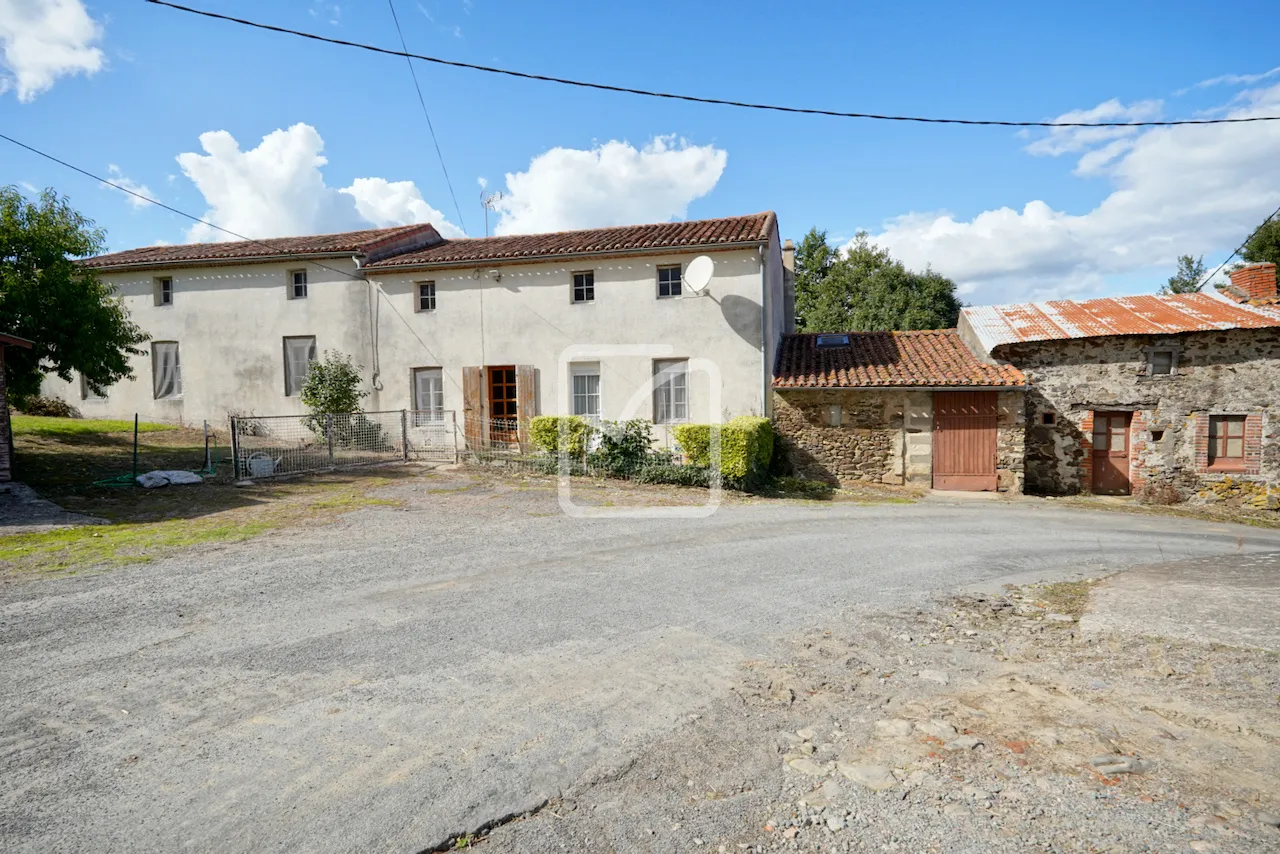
62, 459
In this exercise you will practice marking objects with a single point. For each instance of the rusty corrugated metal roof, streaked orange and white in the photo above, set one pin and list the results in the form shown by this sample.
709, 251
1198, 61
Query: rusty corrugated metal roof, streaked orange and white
1145, 316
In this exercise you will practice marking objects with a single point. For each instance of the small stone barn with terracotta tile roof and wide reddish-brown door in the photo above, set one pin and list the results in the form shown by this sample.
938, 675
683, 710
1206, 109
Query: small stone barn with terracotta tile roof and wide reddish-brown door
899, 408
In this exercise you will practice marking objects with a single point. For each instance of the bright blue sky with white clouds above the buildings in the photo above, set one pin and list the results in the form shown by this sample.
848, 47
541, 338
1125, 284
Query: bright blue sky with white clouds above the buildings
1008, 216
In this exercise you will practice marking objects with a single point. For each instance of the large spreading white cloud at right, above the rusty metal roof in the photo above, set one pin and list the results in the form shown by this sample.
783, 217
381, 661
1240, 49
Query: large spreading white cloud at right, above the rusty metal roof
1186, 190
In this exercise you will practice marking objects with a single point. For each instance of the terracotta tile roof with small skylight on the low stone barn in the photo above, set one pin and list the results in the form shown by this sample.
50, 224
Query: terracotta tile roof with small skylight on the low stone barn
935, 358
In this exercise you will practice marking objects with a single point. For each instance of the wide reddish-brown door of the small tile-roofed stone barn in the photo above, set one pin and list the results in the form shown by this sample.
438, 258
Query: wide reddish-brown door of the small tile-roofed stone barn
964, 441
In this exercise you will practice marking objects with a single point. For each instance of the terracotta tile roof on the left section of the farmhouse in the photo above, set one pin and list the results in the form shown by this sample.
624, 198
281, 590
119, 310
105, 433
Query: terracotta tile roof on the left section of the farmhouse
240, 252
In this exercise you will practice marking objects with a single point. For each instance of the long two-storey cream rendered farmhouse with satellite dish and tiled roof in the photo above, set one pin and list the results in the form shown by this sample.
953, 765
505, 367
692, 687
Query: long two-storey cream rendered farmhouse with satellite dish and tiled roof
597, 323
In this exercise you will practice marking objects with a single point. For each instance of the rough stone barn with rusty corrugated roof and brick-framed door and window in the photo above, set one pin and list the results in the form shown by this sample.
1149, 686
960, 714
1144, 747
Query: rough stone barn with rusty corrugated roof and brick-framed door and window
1172, 396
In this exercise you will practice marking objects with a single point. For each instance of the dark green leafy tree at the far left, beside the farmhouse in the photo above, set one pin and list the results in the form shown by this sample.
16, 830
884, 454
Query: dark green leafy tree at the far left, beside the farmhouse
76, 322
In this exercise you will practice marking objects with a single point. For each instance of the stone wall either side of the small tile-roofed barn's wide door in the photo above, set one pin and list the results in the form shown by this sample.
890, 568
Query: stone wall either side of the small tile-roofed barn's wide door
885, 436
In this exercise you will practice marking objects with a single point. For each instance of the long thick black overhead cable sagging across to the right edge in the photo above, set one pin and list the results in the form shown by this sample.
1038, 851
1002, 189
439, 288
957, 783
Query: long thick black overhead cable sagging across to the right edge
696, 99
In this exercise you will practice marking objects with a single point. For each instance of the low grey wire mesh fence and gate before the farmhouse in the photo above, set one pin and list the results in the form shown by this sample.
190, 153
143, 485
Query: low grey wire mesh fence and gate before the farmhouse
268, 446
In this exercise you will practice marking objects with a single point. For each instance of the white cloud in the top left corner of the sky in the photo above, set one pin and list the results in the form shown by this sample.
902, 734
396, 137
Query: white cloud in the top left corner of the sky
43, 40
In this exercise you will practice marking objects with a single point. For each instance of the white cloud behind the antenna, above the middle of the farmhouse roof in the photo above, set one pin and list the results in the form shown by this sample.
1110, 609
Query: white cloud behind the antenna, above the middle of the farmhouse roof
610, 185
